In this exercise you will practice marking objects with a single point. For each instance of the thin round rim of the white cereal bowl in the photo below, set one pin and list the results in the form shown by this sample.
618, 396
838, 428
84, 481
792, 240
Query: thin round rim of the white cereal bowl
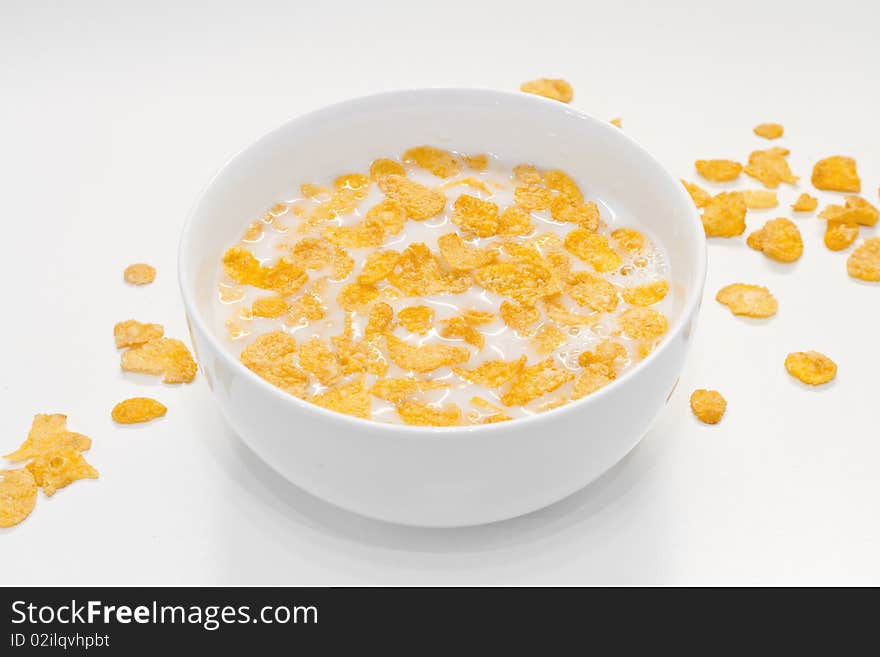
350, 422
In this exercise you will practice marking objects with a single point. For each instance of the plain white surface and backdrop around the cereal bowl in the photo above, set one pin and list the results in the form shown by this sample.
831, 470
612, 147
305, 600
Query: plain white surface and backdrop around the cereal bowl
112, 119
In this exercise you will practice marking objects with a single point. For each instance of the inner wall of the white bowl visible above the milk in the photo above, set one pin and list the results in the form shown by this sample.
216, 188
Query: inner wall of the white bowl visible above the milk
346, 137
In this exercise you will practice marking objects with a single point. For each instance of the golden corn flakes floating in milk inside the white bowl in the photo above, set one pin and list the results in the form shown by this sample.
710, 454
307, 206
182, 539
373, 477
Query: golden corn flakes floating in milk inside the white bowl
441, 289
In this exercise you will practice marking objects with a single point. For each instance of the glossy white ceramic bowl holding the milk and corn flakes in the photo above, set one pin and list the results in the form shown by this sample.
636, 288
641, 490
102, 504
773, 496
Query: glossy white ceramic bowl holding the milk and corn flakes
441, 477
